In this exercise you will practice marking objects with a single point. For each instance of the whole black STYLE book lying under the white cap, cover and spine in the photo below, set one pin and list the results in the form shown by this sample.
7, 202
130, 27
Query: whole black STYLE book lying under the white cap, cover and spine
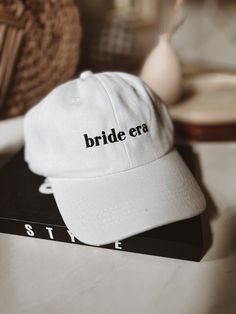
26, 211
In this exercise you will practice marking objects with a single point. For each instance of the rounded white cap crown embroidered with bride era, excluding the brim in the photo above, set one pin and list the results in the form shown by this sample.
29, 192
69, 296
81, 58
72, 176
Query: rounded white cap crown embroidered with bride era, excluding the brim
97, 125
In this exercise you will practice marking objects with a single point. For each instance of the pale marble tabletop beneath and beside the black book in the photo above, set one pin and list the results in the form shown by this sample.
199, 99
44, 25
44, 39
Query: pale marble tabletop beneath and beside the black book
40, 276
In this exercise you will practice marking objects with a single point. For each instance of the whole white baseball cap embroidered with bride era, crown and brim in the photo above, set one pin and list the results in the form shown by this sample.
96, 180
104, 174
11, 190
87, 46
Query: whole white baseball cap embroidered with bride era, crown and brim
105, 142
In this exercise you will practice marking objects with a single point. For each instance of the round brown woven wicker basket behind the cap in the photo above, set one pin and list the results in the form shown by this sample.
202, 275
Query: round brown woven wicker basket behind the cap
39, 49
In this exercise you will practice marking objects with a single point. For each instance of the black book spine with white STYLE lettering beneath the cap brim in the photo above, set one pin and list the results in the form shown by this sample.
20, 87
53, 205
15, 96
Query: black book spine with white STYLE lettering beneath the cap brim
137, 244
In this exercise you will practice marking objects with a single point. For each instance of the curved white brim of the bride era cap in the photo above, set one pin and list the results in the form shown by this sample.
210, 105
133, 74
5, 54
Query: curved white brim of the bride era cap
105, 209
